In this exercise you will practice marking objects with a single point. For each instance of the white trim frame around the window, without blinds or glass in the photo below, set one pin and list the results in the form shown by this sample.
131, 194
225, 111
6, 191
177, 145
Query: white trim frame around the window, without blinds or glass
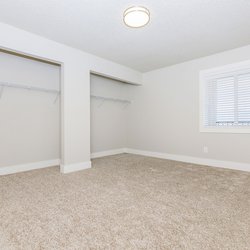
223, 71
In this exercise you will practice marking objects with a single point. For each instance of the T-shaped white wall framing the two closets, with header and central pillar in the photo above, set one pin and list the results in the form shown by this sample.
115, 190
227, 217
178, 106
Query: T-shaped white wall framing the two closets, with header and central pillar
75, 101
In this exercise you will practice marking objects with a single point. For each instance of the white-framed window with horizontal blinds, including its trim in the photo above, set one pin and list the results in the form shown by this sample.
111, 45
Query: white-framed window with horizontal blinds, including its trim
225, 99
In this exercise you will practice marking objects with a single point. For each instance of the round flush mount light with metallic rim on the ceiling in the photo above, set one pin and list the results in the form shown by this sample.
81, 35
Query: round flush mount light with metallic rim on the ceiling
136, 16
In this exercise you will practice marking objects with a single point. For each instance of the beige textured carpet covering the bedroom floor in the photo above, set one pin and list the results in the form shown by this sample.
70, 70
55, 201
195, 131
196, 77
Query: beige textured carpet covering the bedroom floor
126, 202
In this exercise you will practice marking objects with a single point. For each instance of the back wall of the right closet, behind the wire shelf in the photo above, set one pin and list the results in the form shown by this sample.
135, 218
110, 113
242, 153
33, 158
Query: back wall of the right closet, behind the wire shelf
108, 118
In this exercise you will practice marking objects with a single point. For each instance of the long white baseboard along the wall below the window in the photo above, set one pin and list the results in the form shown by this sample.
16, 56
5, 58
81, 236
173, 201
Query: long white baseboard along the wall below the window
194, 160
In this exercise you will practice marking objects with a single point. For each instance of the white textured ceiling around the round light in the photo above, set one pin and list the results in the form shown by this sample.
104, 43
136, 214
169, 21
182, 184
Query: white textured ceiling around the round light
179, 30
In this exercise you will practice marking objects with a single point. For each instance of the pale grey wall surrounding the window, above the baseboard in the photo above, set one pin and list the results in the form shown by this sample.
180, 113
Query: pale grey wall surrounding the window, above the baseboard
164, 116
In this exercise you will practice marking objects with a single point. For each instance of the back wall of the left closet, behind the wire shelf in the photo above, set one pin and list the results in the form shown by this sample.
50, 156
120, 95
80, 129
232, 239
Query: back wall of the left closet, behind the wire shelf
29, 120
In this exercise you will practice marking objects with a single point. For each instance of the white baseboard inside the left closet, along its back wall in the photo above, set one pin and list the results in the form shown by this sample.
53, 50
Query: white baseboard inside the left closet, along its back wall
29, 166
